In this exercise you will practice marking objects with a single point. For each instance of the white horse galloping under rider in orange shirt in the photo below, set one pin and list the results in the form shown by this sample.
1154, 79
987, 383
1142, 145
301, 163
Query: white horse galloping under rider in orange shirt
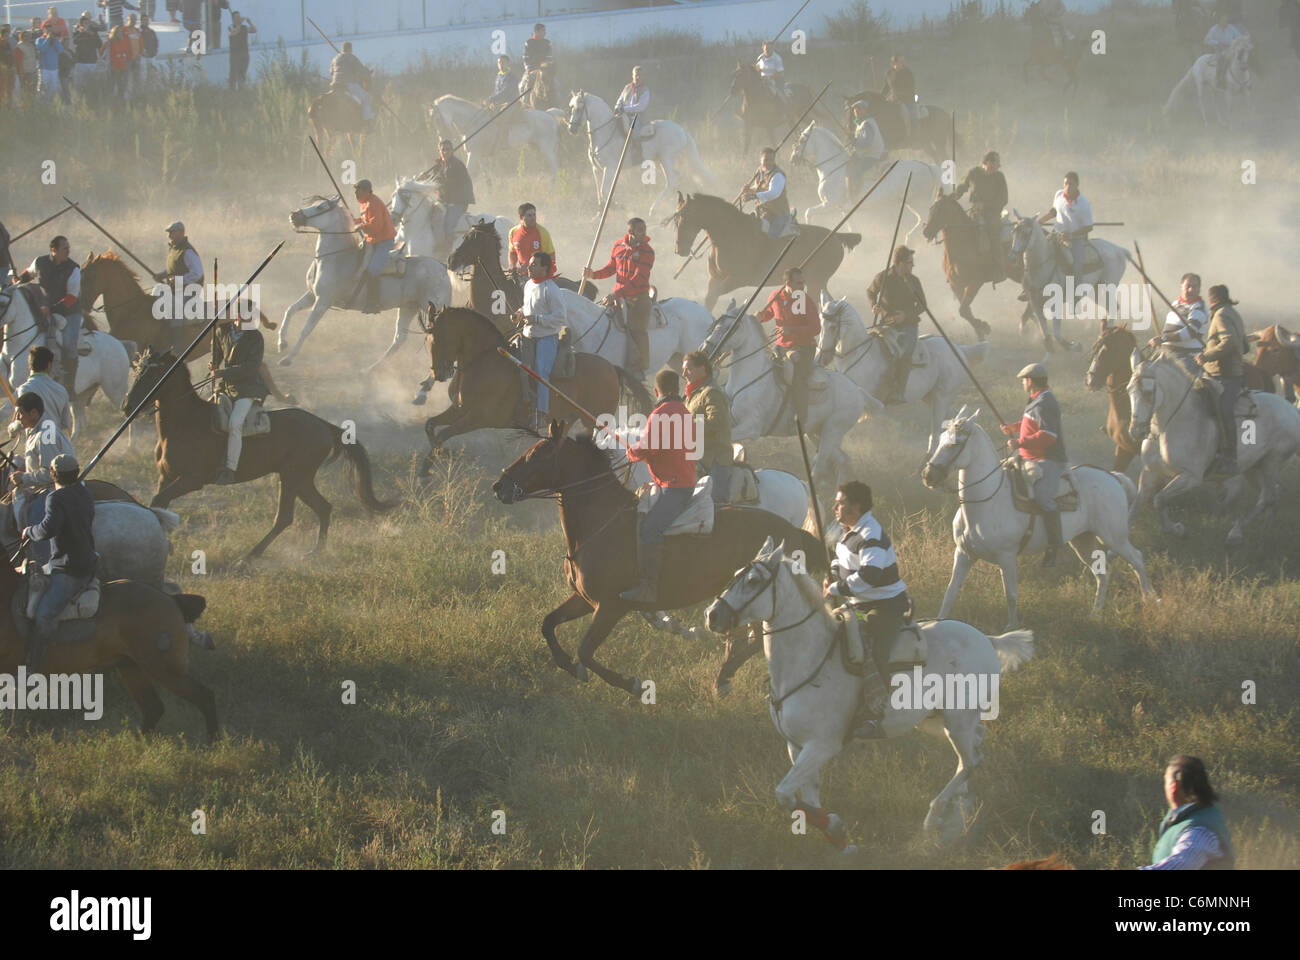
336, 273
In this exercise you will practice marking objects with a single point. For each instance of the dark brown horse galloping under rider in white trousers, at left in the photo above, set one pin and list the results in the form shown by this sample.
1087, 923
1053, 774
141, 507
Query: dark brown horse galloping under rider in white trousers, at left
189, 453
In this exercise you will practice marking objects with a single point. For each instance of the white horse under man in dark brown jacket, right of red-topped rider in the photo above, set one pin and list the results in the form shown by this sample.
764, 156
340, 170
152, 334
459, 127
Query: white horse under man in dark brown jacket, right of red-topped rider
937, 379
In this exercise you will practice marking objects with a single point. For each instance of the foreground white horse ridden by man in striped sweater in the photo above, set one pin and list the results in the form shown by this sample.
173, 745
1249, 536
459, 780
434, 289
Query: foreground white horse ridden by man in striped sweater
814, 698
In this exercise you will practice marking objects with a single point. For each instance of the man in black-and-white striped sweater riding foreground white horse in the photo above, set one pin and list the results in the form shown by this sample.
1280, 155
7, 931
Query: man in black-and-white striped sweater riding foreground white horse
865, 574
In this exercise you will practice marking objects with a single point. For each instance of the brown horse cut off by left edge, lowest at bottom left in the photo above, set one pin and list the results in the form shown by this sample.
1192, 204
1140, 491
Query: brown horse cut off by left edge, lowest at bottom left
138, 630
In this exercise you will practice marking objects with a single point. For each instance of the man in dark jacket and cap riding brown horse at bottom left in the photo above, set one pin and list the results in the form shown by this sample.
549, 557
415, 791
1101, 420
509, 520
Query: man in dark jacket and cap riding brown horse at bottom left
68, 525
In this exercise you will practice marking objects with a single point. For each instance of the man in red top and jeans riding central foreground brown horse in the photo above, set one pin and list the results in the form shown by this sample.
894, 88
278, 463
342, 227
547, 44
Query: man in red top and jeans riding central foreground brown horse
673, 472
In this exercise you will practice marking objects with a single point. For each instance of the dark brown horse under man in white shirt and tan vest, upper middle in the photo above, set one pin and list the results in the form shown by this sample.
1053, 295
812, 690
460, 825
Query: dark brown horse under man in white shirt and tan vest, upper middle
742, 253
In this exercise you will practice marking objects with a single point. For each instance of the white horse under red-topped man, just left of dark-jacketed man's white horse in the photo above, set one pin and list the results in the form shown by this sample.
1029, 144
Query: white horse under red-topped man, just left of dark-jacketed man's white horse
760, 405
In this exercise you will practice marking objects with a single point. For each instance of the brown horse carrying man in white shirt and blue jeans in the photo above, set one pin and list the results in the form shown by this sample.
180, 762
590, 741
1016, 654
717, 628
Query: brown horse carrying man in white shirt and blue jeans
486, 387
